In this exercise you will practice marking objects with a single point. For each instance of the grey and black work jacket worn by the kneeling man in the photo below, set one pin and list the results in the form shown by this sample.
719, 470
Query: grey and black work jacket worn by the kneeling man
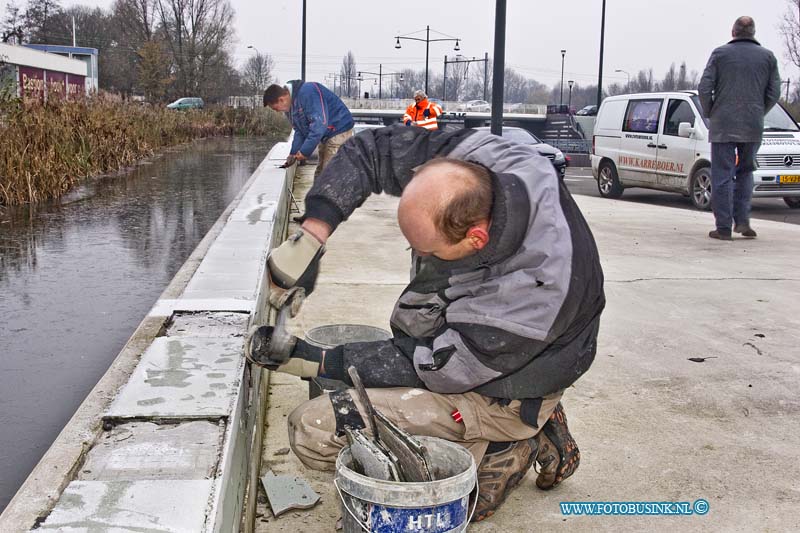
519, 319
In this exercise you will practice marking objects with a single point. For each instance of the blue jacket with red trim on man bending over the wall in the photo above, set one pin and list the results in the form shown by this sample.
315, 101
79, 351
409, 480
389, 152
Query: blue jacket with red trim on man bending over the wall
316, 115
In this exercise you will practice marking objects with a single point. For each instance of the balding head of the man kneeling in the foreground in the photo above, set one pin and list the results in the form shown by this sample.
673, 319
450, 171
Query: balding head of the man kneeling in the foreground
442, 203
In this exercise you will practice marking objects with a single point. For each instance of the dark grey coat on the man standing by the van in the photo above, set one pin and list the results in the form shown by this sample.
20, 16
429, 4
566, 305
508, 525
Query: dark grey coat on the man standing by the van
740, 84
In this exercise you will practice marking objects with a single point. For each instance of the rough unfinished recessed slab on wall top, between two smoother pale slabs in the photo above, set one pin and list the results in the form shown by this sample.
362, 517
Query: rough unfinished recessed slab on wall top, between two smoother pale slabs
143, 450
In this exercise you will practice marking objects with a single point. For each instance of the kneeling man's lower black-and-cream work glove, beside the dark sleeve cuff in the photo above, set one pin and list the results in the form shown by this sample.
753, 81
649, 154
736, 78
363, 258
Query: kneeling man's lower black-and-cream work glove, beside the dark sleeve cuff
303, 360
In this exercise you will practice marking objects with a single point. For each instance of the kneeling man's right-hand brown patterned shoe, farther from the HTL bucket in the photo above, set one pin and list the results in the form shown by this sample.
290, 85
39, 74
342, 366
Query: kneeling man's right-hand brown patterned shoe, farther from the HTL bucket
559, 456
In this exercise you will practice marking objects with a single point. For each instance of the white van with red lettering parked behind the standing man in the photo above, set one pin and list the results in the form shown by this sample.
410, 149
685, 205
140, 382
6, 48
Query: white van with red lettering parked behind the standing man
660, 141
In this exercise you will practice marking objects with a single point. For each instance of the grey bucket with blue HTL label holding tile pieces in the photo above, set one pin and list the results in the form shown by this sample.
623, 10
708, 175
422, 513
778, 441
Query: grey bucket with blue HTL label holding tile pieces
437, 506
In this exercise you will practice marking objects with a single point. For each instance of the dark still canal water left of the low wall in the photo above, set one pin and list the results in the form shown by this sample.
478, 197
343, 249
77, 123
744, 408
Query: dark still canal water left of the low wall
78, 275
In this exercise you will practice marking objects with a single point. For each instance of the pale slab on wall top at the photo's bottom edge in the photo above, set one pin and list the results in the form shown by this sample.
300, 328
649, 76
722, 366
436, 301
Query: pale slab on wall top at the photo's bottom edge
126, 506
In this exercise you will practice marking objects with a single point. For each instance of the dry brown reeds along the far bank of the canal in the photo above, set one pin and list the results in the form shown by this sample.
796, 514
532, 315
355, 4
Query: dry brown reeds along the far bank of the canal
46, 149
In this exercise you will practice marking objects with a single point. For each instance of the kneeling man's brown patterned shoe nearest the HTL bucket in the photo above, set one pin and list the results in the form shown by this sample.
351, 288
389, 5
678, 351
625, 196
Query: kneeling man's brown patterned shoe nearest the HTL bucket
499, 473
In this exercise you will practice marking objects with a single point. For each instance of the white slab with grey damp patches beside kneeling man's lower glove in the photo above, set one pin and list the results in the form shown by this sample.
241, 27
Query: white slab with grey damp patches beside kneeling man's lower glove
182, 377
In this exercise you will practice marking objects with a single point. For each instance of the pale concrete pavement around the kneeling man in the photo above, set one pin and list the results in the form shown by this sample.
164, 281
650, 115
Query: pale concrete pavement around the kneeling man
651, 424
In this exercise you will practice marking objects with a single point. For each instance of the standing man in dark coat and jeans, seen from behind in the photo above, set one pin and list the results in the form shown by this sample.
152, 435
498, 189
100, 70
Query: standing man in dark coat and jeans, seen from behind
739, 86
